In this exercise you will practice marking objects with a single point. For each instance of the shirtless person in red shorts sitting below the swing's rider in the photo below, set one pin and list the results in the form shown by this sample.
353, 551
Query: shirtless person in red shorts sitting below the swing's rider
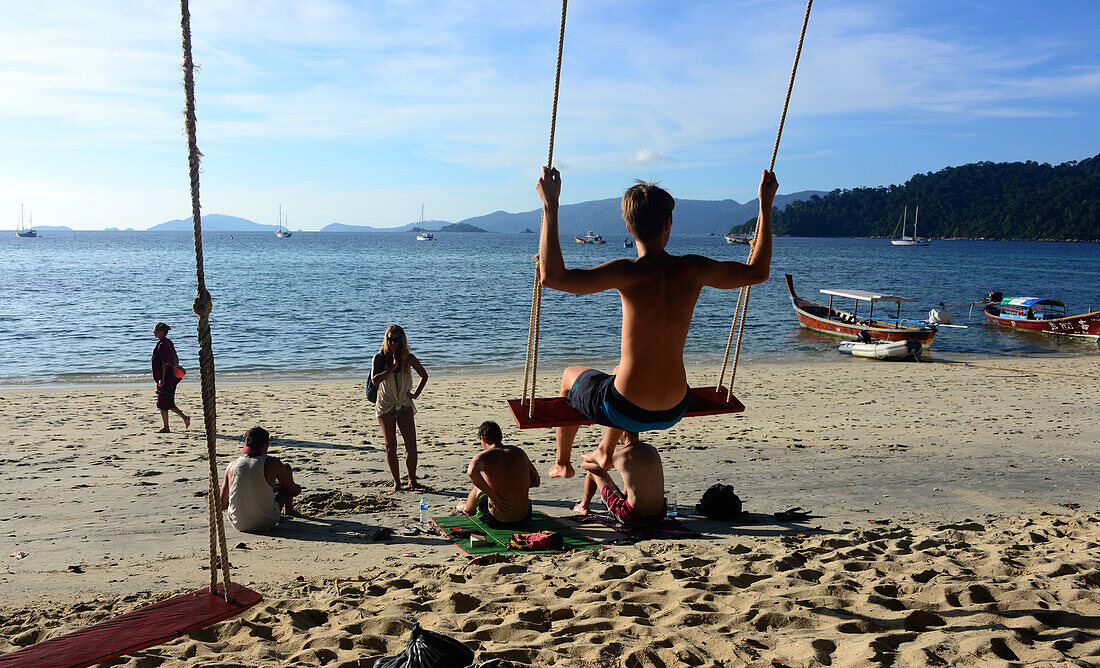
642, 500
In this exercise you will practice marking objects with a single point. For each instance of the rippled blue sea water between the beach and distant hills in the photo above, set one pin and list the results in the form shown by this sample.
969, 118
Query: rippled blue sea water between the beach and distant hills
81, 306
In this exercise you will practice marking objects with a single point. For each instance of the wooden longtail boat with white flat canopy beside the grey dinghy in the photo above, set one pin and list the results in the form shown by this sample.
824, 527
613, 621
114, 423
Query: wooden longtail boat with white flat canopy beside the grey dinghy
833, 321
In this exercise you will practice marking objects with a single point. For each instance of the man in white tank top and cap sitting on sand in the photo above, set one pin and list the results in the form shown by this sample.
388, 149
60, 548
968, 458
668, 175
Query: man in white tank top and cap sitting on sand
259, 489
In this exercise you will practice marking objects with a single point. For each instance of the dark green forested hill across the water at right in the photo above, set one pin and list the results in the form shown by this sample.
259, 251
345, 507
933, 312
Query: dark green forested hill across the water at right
981, 201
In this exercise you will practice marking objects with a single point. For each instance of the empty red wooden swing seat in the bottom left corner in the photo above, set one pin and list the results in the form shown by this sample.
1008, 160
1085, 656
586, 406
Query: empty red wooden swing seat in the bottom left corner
135, 631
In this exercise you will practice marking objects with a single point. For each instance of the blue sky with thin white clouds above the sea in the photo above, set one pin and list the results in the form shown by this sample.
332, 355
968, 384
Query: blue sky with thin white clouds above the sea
359, 113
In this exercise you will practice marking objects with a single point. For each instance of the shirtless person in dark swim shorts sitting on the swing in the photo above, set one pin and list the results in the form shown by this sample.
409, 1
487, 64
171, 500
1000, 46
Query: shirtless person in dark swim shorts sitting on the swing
648, 390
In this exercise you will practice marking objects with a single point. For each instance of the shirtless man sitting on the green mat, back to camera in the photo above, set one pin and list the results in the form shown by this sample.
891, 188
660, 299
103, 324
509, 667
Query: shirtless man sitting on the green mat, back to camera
503, 477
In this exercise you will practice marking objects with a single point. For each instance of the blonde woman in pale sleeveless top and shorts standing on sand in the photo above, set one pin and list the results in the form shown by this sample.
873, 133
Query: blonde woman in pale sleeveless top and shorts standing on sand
392, 371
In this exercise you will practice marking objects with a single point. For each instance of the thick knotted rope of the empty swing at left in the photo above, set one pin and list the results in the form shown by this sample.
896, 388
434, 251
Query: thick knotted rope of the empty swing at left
203, 308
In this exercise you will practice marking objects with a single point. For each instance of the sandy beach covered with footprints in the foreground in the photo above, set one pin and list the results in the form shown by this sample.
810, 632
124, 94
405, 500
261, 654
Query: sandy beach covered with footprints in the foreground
955, 521
